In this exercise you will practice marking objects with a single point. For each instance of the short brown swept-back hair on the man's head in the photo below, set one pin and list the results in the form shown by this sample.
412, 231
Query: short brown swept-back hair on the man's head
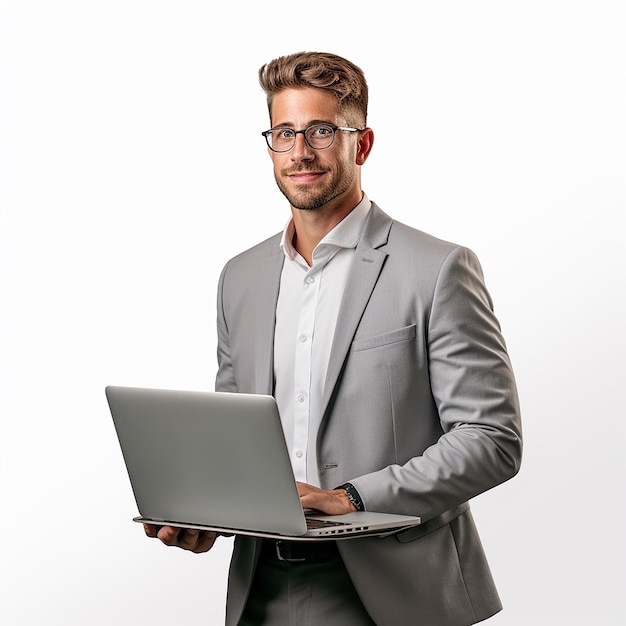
321, 70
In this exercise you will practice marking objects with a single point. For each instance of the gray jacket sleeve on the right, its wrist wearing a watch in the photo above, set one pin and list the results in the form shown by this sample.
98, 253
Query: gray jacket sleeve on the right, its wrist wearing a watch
475, 395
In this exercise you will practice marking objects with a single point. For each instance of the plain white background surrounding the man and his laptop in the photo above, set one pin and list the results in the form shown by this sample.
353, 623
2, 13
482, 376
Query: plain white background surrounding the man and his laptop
132, 168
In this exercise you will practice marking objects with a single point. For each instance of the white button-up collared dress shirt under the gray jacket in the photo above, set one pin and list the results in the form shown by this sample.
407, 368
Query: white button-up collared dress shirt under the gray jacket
306, 315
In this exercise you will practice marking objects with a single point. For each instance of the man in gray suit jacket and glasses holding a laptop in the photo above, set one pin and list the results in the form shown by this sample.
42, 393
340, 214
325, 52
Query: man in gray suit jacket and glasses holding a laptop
381, 347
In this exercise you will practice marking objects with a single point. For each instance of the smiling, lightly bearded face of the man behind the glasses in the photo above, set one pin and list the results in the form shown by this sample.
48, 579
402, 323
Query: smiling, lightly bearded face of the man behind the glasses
312, 178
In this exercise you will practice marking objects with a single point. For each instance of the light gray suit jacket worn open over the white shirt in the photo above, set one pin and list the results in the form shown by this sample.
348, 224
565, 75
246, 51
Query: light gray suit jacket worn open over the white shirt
421, 414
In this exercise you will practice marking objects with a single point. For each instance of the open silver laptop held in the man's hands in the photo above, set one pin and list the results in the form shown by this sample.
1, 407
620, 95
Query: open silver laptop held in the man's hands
219, 461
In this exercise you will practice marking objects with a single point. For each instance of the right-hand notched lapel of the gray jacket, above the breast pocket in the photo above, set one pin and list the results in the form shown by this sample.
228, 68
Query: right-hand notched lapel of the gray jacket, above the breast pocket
366, 267
